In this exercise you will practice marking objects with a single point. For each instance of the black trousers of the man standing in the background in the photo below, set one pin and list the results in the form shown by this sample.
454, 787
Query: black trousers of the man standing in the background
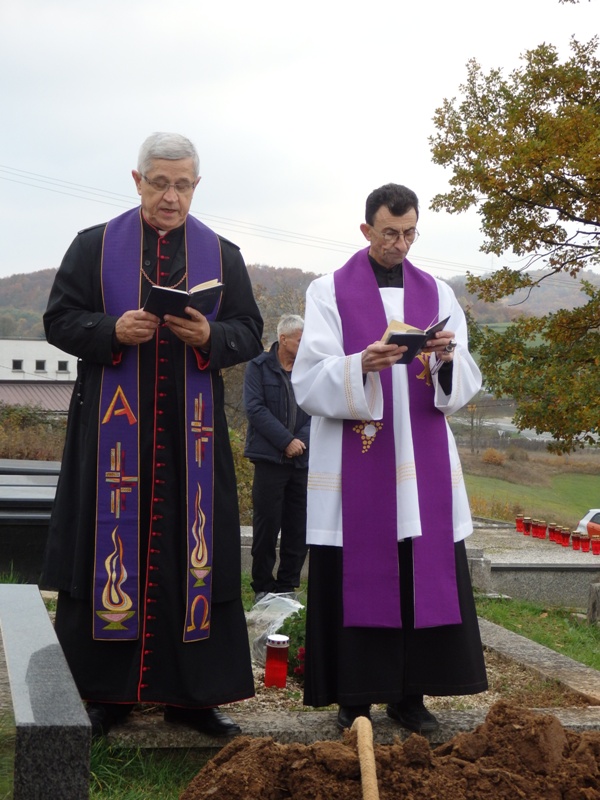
279, 504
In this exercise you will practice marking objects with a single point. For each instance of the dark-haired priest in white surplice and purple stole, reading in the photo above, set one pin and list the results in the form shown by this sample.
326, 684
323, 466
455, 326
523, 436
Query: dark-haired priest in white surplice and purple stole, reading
390, 611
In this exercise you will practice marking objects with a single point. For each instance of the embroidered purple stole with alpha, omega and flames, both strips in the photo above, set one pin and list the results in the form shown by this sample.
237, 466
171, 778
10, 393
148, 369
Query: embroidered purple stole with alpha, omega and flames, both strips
116, 592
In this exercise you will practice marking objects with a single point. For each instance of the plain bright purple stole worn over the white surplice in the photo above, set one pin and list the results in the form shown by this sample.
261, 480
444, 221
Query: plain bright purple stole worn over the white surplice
371, 582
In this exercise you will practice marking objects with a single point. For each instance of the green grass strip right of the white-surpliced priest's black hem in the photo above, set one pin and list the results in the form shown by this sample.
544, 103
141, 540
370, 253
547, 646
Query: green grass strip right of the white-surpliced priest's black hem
557, 628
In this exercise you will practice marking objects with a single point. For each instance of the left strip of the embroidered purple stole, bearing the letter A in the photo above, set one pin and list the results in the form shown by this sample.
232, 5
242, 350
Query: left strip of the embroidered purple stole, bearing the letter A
116, 594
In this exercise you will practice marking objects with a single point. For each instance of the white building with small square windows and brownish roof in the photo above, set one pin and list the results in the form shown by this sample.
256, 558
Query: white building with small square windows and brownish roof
35, 373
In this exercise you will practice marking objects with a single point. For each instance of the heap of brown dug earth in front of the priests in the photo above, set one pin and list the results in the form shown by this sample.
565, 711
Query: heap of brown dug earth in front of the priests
515, 753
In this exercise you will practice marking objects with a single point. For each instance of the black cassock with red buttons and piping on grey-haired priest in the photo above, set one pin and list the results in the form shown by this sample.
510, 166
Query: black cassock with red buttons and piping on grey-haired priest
158, 667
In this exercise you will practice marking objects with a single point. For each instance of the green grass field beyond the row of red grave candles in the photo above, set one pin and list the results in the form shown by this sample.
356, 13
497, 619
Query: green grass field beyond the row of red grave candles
566, 499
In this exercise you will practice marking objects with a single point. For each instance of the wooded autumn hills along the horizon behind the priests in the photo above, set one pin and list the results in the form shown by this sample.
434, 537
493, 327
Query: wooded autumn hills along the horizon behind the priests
23, 298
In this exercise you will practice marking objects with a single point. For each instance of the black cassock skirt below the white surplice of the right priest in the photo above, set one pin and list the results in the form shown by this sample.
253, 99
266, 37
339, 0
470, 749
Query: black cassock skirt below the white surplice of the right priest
357, 666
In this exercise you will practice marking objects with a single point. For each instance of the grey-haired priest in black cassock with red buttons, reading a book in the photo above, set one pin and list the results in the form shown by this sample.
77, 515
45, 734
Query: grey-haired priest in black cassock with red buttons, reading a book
144, 539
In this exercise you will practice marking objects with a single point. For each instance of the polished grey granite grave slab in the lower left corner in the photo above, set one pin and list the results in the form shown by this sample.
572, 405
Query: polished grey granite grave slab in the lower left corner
45, 734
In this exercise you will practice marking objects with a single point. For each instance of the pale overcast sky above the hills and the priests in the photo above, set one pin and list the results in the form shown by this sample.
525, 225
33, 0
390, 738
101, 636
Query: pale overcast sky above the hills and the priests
298, 112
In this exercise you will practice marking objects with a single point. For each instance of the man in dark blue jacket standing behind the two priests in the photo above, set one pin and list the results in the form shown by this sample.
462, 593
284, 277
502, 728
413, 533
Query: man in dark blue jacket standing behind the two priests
277, 445
